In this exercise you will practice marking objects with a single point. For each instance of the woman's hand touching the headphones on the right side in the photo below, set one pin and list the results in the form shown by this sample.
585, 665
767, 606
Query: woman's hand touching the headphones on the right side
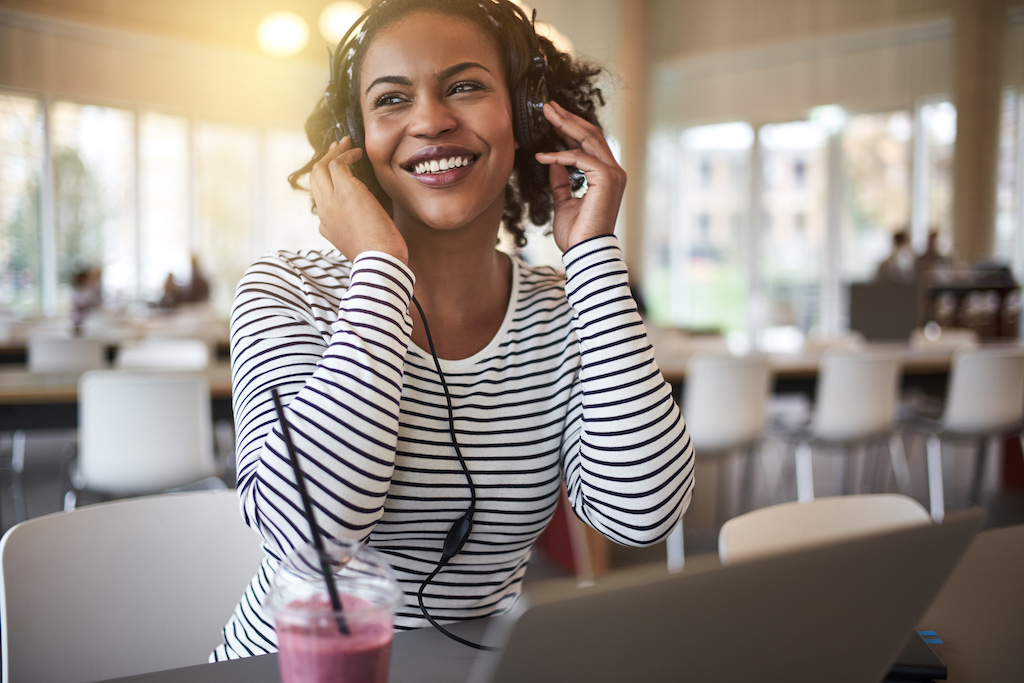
593, 215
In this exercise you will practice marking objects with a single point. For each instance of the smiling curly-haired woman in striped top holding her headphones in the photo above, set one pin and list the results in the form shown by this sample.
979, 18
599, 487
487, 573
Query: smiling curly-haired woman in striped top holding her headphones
467, 406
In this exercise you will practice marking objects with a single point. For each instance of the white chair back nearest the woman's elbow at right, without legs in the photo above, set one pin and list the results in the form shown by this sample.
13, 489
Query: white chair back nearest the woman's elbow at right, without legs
726, 400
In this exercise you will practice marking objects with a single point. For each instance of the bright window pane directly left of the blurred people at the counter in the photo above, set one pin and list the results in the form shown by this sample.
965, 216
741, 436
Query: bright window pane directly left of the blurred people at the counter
877, 202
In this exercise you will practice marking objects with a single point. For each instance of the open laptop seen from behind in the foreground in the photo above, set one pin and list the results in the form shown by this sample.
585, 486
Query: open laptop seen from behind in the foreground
839, 613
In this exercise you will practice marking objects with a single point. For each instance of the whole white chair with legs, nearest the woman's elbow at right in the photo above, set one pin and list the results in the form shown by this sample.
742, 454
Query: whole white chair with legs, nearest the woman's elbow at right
726, 402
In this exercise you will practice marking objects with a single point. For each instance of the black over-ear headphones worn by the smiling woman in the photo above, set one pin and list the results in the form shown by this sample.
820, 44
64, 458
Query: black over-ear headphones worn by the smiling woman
532, 130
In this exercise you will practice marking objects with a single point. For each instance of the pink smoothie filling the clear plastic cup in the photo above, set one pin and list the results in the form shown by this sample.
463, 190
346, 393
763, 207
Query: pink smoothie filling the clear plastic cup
319, 654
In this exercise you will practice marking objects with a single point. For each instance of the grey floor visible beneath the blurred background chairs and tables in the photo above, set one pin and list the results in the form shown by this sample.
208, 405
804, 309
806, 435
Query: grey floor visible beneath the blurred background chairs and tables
715, 498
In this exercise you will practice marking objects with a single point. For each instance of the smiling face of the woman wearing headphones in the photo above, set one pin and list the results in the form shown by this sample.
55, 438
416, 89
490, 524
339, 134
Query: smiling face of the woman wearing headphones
439, 121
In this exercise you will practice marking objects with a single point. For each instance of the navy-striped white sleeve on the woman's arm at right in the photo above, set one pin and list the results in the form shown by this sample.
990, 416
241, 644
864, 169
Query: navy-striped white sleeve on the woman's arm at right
628, 462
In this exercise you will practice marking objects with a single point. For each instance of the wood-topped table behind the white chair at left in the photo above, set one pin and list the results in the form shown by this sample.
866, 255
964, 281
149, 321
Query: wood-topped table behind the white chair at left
42, 401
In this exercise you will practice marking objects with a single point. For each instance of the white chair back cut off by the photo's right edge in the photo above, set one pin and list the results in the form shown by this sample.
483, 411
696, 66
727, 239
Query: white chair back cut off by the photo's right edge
986, 392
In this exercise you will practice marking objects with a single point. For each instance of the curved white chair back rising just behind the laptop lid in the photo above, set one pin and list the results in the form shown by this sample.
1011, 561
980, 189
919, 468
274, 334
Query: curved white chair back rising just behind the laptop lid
793, 526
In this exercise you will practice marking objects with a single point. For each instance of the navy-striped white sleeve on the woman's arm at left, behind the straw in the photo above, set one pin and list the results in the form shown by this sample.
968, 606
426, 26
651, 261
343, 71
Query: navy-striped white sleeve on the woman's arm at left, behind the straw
342, 395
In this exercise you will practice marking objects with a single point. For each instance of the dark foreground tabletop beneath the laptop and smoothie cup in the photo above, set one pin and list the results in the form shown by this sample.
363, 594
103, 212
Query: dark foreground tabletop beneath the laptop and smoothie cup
979, 615
